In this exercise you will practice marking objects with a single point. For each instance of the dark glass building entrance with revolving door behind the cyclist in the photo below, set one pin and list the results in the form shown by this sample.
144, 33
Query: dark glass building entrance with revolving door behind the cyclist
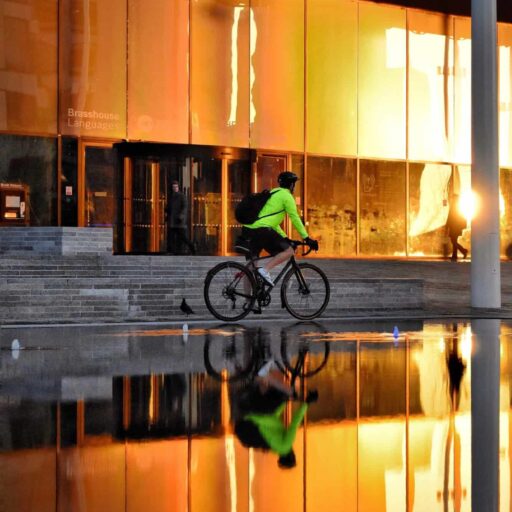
177, 199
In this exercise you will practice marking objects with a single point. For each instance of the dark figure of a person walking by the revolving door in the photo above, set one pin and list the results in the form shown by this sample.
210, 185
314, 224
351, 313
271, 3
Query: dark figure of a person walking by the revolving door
176, 210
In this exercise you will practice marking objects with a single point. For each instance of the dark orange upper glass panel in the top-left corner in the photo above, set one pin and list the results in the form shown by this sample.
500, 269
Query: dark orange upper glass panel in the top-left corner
28, 66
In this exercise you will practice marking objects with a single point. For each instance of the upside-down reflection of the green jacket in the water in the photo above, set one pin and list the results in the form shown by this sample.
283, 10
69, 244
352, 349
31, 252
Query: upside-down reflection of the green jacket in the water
279, 438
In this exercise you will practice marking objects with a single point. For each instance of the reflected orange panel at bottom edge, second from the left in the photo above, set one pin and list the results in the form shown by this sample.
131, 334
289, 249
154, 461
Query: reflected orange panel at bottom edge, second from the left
92, 478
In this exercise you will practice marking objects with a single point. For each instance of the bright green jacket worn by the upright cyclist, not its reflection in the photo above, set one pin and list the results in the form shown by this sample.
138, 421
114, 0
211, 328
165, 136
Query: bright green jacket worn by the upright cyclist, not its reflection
280, 203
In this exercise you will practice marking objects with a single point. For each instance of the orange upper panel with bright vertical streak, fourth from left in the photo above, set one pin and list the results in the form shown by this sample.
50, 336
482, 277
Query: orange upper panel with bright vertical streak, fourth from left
220, 72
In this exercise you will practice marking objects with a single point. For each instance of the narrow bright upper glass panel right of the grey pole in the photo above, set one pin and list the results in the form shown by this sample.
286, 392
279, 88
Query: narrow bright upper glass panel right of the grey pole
505, 92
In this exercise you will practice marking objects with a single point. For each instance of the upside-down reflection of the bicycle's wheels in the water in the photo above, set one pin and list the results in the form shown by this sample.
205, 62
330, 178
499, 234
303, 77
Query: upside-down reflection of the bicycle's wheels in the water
235, 353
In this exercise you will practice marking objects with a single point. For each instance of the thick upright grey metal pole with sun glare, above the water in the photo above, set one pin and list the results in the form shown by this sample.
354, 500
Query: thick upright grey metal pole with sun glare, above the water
485, 235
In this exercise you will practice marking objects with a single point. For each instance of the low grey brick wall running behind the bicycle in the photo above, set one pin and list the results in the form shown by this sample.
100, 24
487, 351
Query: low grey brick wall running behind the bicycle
82, 288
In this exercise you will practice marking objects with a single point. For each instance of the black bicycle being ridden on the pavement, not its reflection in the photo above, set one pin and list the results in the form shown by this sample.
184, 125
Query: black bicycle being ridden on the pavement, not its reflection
233, 290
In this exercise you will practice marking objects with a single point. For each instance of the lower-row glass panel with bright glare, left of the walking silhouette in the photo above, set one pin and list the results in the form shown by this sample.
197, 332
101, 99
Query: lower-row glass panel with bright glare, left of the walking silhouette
428, 208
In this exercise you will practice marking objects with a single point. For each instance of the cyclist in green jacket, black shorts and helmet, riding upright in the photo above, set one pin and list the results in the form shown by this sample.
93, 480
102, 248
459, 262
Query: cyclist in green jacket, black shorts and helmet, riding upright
266, 232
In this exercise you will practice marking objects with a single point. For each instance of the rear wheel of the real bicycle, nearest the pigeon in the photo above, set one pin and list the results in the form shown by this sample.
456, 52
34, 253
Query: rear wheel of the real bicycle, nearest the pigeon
229, 291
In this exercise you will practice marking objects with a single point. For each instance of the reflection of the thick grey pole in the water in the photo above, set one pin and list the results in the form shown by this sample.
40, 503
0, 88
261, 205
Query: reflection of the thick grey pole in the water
485, 400
